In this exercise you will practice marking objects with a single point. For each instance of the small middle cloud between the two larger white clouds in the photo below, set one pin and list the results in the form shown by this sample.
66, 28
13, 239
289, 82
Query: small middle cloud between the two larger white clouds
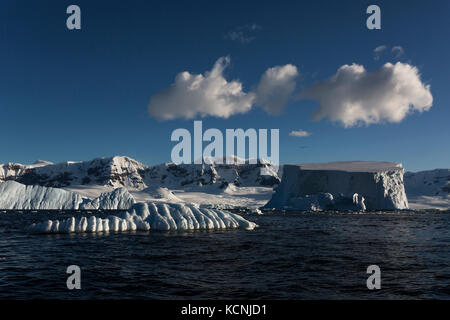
275, 87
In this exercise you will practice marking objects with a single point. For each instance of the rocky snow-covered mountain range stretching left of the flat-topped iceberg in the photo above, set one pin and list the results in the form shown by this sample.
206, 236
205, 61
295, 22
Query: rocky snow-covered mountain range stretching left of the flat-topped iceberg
122, 171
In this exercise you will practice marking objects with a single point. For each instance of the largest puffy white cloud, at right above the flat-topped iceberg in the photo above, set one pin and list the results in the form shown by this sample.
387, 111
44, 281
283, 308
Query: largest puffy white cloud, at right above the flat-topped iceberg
354, 96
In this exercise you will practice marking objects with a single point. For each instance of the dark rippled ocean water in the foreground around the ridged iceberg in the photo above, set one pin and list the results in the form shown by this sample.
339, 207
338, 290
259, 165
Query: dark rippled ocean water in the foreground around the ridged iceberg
290, 256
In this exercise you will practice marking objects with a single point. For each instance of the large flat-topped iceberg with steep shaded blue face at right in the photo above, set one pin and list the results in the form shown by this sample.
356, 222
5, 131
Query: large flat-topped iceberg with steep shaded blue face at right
377, 185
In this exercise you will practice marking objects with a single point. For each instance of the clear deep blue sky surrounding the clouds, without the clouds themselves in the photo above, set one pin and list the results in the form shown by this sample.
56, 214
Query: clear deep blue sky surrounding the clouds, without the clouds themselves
77, 95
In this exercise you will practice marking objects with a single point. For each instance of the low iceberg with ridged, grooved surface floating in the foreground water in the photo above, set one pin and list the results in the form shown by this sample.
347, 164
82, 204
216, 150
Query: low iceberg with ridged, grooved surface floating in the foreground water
149, 216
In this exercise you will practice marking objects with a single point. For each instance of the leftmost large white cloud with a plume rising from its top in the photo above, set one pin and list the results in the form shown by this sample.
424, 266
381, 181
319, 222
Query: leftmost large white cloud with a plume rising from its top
193, 95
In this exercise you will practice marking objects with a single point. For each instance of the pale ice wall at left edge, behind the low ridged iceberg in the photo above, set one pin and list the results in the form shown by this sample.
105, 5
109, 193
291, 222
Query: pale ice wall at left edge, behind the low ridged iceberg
16, 196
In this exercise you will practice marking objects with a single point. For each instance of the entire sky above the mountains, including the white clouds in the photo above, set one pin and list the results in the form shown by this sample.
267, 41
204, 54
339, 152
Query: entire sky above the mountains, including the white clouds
312, 69
